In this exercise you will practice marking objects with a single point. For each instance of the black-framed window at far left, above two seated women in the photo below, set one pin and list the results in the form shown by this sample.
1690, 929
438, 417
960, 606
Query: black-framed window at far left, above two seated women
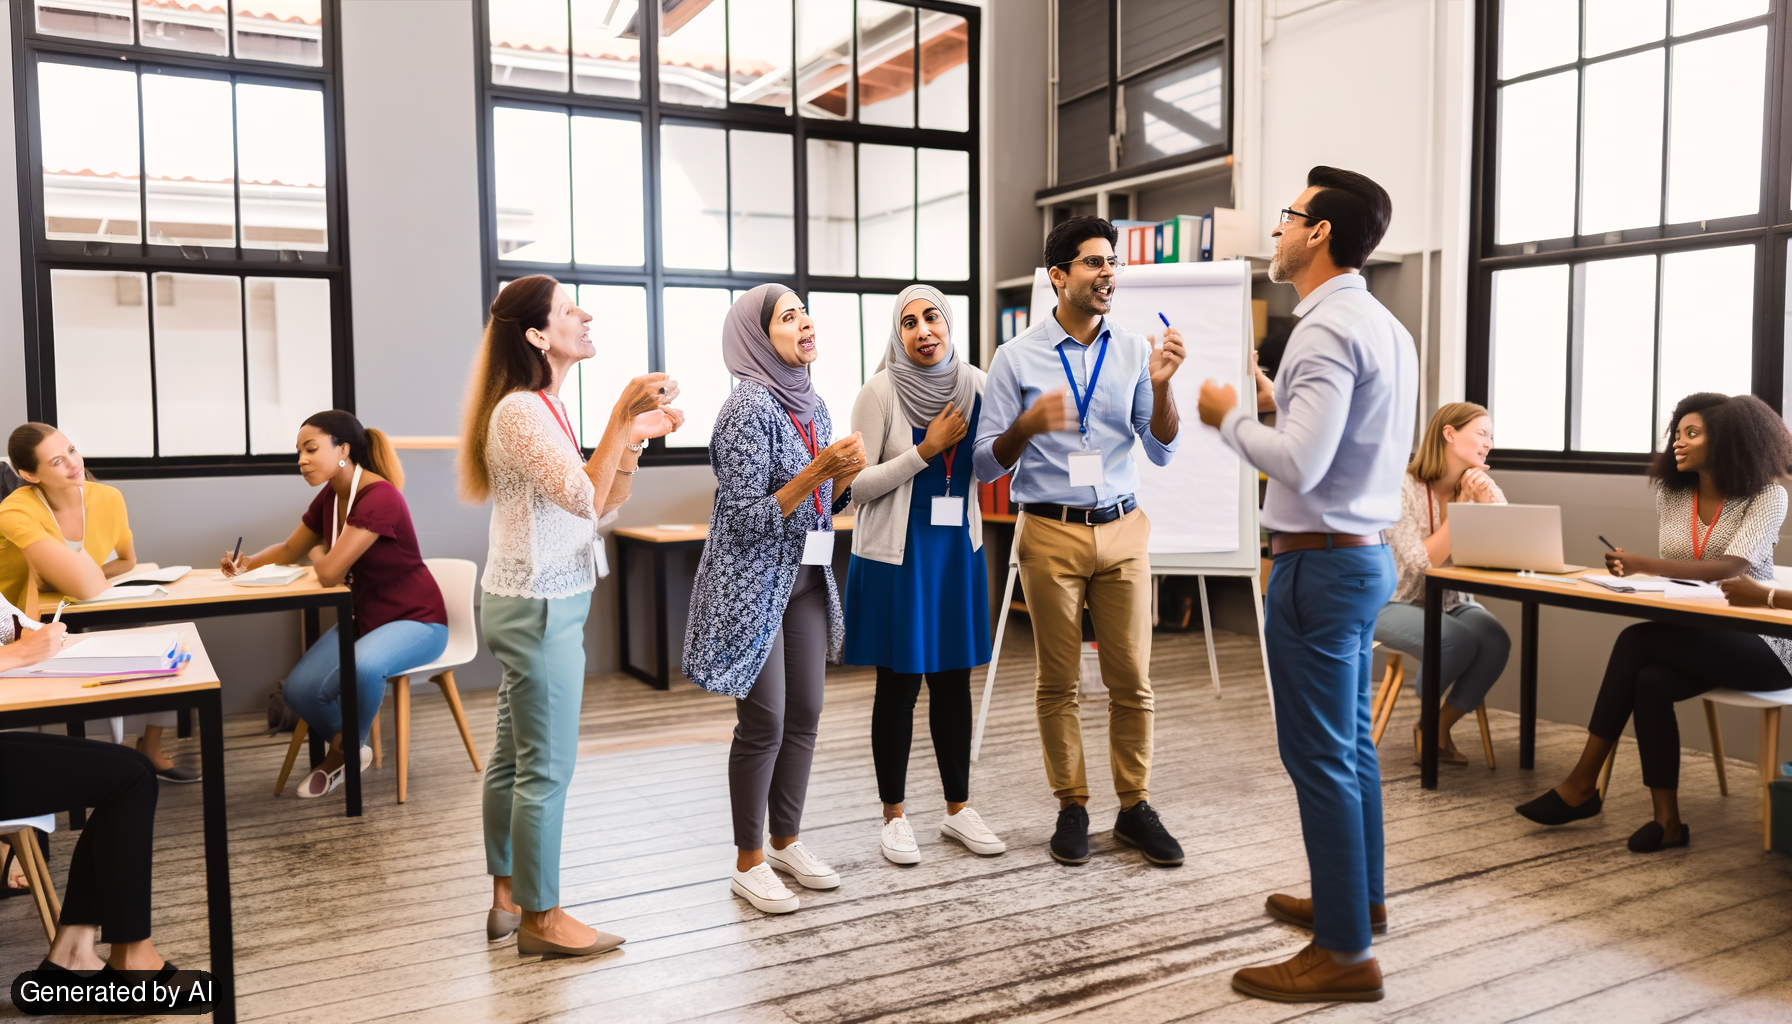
184, 252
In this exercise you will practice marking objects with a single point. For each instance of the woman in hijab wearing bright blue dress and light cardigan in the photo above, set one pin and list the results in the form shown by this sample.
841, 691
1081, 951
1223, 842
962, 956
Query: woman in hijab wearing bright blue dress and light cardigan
917, 589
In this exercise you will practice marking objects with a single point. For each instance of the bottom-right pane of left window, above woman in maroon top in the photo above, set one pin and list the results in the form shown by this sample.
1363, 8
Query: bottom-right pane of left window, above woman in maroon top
289, 360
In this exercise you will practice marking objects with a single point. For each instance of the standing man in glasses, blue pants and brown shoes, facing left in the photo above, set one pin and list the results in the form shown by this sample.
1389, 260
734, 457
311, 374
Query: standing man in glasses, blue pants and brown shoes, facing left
1345, 401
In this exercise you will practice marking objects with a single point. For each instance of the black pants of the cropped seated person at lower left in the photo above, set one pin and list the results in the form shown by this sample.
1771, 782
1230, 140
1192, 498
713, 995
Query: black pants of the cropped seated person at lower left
108, 874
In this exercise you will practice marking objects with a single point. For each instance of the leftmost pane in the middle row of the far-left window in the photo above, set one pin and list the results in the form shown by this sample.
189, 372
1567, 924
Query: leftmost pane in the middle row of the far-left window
90, 155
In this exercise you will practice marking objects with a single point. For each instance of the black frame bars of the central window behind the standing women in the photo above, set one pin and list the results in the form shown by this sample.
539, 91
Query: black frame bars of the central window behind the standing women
750, 117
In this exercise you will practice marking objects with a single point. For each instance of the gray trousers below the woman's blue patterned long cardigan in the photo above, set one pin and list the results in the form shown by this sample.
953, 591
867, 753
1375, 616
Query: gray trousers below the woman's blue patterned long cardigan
775, 724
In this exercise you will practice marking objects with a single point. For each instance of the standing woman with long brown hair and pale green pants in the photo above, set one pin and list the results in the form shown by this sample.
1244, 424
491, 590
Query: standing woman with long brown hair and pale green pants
519, 449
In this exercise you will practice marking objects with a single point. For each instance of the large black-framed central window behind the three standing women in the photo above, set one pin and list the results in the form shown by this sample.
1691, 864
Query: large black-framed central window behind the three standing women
662, 159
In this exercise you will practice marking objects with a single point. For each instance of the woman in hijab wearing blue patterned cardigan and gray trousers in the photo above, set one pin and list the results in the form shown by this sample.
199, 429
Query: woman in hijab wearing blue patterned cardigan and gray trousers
764, 611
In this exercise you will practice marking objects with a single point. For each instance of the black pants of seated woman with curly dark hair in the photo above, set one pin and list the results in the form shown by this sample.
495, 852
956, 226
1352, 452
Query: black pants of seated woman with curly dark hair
1655, 666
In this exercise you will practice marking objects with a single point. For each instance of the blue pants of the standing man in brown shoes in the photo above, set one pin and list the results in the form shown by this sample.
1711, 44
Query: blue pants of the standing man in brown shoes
1320, 625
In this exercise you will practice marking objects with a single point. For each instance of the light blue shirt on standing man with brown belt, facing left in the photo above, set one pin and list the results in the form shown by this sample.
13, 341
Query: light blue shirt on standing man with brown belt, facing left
1347, 397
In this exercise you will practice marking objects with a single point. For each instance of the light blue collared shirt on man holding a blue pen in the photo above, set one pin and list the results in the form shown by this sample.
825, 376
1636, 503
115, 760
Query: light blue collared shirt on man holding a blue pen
1119, 412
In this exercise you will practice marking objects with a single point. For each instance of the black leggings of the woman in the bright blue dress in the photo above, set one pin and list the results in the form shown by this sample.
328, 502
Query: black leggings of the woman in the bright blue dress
949, 718
